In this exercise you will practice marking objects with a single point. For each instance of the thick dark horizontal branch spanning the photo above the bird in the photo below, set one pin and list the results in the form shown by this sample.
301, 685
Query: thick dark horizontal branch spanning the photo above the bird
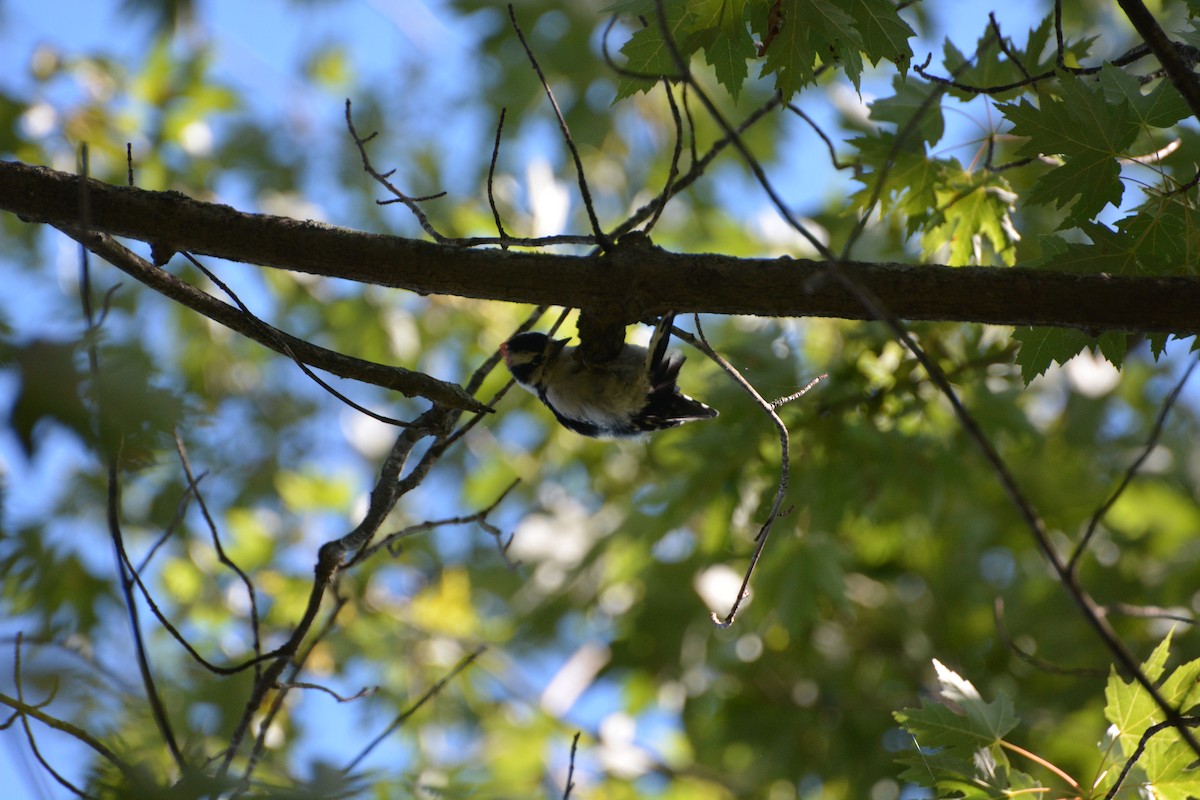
638, 284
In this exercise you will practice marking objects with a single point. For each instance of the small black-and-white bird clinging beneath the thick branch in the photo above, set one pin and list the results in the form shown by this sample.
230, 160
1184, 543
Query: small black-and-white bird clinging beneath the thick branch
632, 395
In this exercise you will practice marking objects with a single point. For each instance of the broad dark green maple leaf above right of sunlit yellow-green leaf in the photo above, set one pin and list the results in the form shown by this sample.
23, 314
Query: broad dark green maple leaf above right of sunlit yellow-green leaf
1089, 133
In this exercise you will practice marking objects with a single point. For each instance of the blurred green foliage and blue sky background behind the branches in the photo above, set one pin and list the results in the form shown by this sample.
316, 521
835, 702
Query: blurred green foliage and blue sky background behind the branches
897, 551
